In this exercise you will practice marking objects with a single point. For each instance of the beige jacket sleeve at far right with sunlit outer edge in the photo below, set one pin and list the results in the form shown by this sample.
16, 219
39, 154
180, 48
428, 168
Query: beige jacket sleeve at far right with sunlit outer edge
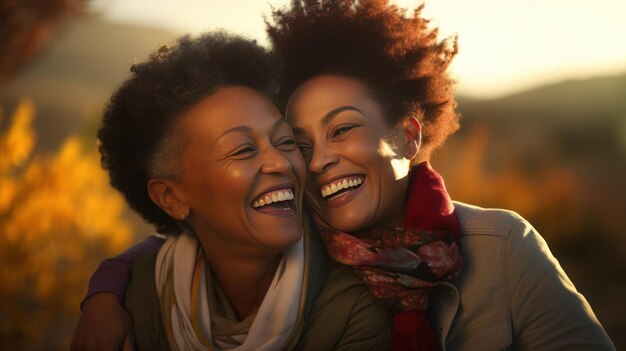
547, 311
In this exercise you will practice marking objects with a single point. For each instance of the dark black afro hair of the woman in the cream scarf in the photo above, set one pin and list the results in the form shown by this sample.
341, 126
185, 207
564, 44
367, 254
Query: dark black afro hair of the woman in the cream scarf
141, 115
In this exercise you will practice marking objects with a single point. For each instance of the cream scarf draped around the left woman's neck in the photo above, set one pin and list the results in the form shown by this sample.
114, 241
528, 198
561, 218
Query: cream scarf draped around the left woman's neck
274, 321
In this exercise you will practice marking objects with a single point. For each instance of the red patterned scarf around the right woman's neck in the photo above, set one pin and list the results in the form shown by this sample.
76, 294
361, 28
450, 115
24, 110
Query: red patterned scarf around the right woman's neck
402, 265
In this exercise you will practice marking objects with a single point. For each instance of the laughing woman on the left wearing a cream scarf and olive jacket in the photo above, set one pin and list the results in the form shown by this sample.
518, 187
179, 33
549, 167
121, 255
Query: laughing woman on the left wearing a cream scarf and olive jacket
199, 149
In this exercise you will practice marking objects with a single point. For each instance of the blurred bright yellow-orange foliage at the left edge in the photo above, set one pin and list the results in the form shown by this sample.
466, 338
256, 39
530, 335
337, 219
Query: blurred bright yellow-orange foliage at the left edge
58, 218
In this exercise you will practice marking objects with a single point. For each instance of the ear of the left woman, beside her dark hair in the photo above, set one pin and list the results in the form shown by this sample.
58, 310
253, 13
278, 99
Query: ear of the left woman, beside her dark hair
166, 195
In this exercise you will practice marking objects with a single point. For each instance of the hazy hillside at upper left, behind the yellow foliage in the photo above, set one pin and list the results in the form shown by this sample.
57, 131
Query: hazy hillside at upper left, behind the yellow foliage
73, 79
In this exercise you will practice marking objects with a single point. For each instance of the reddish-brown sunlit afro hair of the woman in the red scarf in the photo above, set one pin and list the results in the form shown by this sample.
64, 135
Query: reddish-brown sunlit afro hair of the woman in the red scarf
398, 58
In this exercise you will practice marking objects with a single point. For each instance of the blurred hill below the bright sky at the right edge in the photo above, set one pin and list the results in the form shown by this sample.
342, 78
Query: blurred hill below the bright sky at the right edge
585, 116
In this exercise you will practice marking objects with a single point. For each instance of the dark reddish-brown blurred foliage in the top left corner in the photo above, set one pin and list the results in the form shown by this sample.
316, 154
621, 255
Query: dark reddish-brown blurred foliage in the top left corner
26, 26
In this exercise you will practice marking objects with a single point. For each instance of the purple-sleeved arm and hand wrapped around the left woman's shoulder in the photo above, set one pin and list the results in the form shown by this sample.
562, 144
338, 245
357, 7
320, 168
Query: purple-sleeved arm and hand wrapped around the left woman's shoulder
104, 323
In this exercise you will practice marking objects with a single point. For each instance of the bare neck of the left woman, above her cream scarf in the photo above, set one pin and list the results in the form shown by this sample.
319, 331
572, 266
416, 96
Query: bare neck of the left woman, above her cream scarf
244, 280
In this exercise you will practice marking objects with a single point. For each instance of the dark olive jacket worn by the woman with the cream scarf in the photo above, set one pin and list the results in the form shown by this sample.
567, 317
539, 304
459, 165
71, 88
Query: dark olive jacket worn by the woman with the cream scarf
337, 311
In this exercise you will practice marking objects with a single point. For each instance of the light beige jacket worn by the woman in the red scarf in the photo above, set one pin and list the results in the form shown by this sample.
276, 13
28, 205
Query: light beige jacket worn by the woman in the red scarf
512, 293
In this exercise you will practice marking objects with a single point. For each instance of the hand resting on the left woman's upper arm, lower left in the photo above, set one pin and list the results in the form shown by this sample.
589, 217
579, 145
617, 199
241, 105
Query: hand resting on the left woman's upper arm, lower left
104, 325
